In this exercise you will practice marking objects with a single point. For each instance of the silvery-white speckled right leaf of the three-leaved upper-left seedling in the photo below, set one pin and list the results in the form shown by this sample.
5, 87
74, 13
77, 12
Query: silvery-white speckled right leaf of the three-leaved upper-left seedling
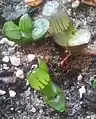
41, 27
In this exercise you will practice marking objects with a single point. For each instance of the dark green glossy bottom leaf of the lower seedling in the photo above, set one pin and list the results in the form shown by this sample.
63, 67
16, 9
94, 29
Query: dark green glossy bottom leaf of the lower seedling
54, 97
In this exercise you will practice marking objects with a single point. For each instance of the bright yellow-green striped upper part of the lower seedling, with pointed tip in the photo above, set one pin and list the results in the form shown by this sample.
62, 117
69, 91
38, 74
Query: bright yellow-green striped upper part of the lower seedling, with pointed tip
39, 78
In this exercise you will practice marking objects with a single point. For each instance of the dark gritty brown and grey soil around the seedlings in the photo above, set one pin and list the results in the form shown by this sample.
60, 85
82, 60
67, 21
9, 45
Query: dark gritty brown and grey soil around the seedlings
28, 103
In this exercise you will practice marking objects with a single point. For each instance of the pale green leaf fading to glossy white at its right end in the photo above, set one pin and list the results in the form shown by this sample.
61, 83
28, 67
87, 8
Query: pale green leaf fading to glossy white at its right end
72, 37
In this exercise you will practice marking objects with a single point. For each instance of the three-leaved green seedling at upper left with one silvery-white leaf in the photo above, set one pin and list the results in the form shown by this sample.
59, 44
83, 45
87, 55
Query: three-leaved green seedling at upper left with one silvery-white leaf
27, 31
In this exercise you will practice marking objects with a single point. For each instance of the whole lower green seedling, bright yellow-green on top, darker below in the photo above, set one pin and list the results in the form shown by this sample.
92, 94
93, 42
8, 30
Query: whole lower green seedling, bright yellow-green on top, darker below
40, 80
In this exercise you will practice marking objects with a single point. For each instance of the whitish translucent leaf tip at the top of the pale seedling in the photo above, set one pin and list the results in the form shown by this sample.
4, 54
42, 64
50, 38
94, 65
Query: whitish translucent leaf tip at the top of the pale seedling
50, 8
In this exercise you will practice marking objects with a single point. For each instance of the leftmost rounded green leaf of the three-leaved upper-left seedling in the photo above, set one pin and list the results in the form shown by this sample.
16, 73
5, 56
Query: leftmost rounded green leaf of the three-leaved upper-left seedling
11, 30
